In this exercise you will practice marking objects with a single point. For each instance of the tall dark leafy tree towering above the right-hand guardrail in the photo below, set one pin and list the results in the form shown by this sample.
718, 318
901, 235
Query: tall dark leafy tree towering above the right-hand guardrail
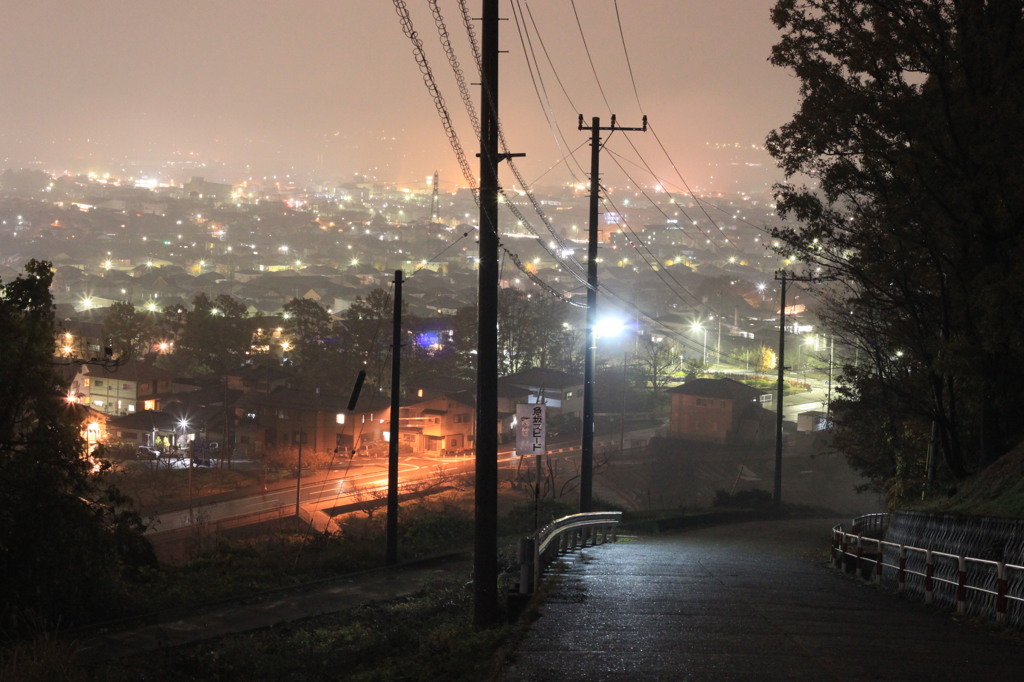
910, 127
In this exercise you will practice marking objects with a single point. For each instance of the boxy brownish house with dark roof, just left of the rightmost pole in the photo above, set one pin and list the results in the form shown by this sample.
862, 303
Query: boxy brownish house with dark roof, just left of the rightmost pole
719, 411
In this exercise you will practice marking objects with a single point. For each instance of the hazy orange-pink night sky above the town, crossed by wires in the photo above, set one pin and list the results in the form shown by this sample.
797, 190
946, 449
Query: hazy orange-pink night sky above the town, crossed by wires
330, 89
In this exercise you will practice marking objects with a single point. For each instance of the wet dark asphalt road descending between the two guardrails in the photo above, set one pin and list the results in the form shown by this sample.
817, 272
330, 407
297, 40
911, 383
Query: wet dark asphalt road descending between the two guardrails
749, 602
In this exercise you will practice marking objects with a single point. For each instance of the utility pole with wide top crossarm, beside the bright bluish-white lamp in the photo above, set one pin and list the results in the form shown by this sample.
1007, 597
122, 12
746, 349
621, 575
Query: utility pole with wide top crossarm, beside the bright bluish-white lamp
587, 446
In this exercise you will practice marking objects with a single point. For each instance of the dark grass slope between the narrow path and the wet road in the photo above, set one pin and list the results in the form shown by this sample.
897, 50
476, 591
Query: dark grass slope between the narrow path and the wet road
428, 636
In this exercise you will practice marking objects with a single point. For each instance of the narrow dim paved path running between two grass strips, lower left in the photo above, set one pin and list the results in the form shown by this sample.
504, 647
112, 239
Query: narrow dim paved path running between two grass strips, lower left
272, 609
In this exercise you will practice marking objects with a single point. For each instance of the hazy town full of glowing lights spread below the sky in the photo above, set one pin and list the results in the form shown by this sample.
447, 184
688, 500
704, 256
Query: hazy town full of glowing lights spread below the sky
694, 273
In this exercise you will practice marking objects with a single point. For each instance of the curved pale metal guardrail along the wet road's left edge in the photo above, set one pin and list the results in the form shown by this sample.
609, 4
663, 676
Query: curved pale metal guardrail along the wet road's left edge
563, 535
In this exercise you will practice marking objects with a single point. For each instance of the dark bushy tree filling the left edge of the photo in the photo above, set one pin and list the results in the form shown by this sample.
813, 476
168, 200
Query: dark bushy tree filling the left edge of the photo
67, 543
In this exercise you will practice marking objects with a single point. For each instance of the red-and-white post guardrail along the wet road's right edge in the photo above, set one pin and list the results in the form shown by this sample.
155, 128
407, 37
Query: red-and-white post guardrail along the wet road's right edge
984, 587
